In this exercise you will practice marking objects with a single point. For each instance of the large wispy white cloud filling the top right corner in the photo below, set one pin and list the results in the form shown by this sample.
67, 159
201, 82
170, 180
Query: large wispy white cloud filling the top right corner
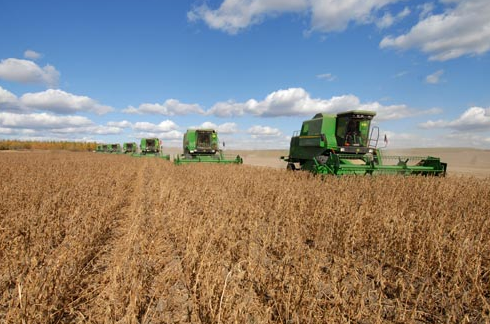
462, 29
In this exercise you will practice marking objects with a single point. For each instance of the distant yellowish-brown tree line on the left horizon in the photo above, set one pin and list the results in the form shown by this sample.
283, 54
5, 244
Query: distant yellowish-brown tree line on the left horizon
47, 145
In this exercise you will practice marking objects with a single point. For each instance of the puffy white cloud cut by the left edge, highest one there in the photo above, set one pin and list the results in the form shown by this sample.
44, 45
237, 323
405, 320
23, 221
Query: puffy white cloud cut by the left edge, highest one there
25, 71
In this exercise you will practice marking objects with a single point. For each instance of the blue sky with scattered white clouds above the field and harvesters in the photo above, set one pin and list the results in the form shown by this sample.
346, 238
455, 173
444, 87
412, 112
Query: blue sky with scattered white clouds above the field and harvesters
117, 71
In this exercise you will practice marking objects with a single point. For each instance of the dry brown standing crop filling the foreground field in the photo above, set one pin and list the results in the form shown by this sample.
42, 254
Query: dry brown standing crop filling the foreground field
97, 238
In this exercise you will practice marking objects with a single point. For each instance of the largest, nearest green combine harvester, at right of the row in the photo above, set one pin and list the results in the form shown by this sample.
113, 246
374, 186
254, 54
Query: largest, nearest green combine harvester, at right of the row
345, 144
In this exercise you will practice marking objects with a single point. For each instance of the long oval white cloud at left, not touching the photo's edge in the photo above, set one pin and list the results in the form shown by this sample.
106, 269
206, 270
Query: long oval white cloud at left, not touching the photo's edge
62, 102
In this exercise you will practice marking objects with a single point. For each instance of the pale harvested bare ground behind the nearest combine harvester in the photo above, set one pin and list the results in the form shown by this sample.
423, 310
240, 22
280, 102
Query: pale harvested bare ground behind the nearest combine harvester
461, 161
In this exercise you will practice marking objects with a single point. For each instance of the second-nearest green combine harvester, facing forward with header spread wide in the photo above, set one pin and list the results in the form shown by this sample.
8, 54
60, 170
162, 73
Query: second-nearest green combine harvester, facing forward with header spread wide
202, 146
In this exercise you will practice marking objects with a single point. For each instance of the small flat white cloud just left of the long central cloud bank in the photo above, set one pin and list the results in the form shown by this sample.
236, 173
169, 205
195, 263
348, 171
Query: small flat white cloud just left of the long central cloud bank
170, 107
